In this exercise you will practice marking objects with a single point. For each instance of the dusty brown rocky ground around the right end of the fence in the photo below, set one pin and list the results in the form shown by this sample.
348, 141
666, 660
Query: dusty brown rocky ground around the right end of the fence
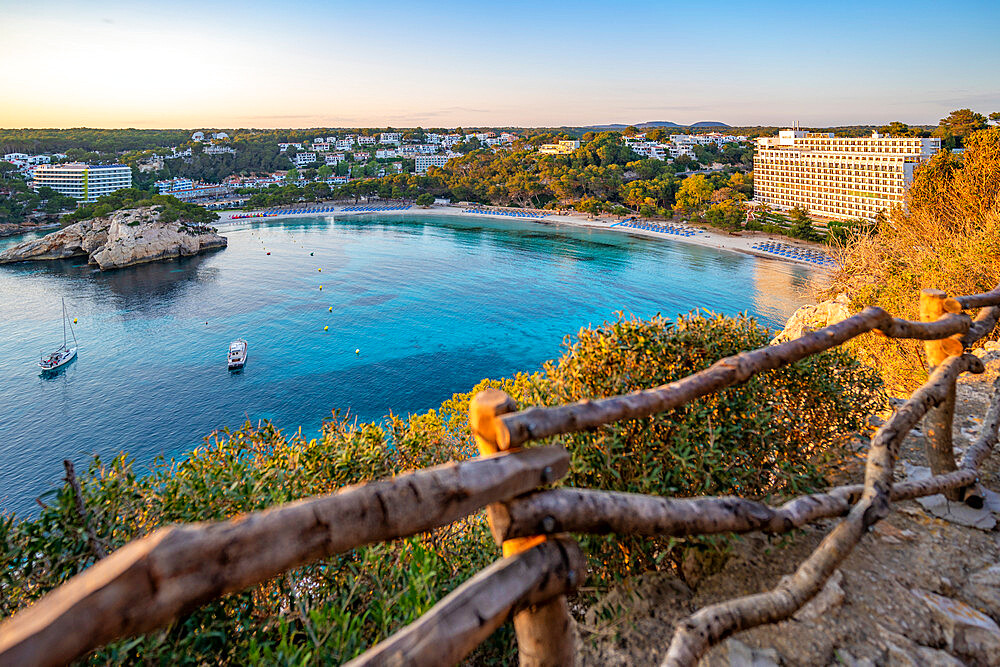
919, 590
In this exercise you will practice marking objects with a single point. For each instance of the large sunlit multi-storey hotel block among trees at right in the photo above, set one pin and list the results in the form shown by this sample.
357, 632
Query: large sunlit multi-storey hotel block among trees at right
837, 177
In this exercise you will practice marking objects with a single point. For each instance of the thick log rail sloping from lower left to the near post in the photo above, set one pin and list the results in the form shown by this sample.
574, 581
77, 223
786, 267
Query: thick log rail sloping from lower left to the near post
151, 581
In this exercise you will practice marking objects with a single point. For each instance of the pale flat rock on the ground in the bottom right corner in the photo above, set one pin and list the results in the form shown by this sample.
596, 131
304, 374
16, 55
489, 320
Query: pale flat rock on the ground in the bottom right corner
969, 633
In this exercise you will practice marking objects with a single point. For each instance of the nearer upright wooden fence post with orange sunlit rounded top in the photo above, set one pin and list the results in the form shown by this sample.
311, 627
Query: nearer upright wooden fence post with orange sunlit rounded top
544, 631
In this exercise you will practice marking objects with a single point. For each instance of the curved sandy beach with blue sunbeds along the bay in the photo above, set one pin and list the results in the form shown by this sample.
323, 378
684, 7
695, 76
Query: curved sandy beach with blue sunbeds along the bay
706, 238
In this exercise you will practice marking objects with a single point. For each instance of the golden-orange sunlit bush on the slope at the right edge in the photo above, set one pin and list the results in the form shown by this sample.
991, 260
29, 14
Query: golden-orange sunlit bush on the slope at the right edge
947, 238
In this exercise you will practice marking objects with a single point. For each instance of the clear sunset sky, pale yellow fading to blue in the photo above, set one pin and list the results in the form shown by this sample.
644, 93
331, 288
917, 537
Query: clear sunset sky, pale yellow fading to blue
260, 63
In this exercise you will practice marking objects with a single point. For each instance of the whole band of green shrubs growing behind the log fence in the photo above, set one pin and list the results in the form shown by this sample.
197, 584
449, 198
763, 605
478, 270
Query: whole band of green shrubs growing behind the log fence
773, 436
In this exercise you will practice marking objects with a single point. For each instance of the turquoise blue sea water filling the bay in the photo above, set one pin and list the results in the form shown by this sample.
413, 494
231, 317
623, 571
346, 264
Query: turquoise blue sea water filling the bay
434, 304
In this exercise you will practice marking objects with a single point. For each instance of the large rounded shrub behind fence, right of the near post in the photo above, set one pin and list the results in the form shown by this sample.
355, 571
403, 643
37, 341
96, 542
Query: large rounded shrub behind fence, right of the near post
769, 436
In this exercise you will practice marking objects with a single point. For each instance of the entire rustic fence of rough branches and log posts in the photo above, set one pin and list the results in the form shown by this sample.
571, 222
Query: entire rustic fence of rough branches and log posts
154, 580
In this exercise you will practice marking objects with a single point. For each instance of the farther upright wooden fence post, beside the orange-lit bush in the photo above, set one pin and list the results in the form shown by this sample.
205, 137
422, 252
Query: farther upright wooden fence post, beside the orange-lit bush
938, 422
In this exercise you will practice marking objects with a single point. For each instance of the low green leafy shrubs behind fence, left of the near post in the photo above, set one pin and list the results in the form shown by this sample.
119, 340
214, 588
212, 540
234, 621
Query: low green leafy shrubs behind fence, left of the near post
322, 613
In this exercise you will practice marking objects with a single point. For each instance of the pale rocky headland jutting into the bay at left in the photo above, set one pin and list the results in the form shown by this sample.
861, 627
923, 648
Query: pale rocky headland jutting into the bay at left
123, 238
